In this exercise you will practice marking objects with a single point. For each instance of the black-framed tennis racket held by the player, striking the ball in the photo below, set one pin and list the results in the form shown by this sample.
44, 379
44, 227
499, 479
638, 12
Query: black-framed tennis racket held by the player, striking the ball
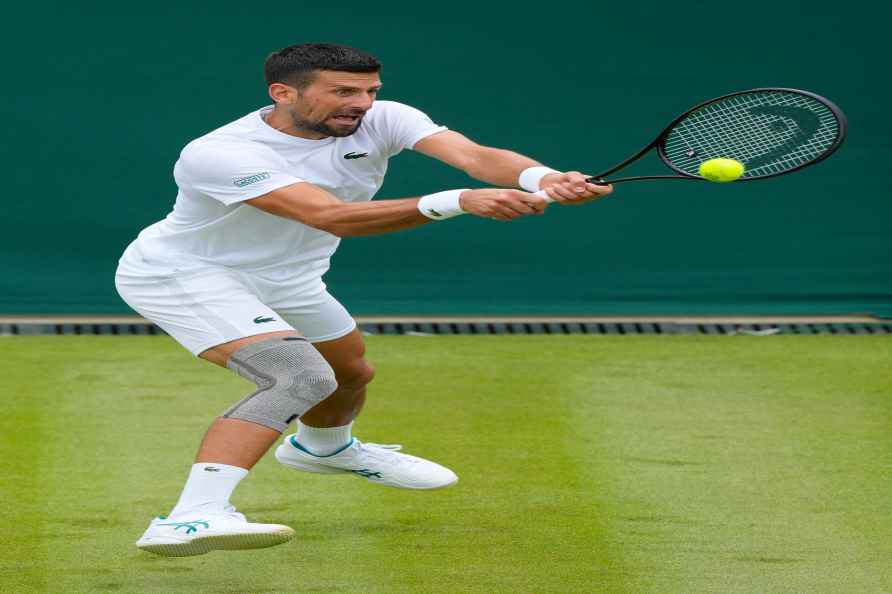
771, 131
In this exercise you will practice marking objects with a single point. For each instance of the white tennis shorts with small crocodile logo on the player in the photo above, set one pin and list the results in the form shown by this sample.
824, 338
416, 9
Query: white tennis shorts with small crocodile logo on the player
207, 307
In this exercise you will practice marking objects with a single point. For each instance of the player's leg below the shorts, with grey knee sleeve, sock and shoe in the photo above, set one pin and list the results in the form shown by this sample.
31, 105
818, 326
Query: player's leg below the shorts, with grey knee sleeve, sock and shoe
203, 519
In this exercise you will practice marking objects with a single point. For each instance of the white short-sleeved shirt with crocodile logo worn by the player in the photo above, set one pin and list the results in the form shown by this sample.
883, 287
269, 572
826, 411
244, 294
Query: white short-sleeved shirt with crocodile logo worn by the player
246, 159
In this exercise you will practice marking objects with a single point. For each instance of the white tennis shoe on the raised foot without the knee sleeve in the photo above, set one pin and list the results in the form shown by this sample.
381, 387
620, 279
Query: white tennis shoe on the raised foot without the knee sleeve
377, 463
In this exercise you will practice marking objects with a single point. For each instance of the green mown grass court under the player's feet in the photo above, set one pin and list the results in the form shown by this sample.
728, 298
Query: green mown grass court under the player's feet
634, 464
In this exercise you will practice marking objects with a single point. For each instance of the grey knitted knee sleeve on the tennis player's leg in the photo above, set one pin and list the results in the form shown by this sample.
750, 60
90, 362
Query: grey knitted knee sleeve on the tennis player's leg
291, 377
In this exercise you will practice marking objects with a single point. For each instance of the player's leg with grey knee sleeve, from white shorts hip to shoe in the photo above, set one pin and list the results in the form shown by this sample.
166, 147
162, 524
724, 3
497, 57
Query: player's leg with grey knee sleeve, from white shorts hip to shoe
212, 306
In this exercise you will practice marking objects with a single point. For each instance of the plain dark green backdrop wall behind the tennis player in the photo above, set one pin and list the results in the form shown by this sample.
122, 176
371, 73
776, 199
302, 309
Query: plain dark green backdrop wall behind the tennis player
101, 98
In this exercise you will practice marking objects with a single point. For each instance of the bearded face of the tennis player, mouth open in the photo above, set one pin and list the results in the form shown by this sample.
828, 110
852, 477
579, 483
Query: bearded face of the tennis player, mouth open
334, 103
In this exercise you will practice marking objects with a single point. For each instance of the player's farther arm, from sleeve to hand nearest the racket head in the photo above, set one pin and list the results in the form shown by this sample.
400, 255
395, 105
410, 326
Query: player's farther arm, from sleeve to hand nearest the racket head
503, 168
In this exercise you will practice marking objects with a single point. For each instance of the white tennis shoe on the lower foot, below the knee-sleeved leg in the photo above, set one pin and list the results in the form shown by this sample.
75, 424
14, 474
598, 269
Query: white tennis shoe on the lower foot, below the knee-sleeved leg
197, 533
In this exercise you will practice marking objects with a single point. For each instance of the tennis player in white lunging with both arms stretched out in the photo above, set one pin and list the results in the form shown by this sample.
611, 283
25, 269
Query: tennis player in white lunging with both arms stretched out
234, 274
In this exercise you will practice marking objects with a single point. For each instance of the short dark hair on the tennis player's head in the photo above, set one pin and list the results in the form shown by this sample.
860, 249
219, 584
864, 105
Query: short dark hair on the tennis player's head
296, 65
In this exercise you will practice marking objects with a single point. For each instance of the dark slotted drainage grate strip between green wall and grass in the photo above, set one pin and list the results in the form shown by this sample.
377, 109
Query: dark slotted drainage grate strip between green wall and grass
426, 327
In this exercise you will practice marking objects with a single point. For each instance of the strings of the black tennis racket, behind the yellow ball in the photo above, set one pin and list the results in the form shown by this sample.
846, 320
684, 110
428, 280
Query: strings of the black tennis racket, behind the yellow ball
770, 132
